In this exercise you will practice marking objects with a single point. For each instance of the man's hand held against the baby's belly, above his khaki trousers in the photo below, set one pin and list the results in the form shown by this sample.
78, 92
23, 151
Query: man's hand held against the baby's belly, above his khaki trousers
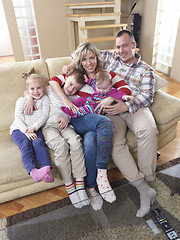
119, 107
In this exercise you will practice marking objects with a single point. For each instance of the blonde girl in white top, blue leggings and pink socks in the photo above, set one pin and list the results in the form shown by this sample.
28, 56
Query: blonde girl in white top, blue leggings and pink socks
26, 130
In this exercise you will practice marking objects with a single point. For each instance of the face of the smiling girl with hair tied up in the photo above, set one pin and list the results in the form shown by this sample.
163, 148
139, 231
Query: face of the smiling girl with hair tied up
35, 89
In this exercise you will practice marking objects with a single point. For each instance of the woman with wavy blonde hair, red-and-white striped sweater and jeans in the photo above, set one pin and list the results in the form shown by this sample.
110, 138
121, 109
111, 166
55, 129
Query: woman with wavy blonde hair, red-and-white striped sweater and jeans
88, 59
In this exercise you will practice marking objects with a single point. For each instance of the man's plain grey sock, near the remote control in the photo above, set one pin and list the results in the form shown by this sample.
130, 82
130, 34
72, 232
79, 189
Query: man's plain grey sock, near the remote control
147, 197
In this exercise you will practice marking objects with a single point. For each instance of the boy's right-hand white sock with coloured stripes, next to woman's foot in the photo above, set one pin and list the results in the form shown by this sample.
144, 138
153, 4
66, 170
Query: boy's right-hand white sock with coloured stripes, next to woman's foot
81, 191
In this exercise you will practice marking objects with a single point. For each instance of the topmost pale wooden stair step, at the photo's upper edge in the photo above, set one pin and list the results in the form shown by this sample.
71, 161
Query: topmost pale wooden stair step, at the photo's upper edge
90, 5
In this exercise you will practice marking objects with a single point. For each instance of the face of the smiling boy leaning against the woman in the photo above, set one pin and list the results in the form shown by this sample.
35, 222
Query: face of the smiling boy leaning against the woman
71, 86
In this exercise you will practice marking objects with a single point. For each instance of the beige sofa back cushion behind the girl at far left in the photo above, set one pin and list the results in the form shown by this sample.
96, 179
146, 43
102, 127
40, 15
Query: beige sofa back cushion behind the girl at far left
12, 86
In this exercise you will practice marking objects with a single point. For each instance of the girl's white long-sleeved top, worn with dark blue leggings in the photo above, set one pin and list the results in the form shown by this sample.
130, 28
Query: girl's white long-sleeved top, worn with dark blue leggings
37, 119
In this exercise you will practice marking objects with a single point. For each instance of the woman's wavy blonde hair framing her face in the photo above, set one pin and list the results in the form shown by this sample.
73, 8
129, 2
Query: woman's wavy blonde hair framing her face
82, 50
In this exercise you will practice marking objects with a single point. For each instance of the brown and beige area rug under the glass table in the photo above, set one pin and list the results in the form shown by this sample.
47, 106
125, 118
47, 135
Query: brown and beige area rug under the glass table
60, 220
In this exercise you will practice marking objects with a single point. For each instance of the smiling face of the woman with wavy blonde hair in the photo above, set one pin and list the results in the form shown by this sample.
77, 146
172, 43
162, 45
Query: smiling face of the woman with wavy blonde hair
89, 62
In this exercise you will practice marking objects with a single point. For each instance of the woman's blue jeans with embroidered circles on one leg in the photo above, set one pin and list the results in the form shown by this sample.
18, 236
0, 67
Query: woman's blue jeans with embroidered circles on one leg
98, 133
